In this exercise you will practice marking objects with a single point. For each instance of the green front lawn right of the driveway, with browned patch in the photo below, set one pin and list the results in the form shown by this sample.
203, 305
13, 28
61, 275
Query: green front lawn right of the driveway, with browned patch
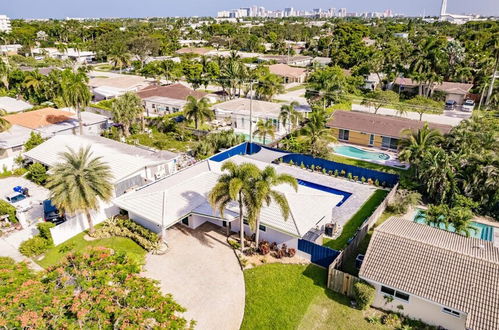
280, 296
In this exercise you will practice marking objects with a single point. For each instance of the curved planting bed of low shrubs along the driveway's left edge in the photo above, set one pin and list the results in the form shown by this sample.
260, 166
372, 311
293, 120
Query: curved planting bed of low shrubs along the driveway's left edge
124, 227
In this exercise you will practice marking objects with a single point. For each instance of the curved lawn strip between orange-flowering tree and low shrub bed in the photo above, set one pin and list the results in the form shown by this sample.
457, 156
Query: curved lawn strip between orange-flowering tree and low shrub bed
78, 243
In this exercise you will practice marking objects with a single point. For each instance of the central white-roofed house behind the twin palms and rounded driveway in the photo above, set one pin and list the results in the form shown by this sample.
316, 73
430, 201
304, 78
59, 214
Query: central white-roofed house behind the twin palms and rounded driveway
182, 198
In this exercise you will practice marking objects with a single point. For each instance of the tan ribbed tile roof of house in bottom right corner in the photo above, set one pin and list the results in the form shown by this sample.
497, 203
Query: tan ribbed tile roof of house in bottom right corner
451, 270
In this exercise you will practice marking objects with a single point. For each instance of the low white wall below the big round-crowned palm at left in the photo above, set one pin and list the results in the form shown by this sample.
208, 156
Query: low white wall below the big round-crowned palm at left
77, 224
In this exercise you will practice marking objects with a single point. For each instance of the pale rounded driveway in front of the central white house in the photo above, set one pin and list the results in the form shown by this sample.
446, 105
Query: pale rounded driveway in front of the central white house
202, 273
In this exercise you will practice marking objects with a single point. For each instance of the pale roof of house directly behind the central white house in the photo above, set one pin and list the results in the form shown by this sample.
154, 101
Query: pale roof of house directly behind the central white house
242, 106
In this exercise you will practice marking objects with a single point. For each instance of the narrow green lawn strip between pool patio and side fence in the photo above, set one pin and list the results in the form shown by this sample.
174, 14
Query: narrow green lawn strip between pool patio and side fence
356, 220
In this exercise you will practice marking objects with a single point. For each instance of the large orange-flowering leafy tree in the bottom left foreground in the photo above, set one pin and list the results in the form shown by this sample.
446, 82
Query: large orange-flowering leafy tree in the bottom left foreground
96, 289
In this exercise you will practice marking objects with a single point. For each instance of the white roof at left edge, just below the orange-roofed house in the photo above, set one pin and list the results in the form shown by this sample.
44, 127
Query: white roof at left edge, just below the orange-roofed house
11, 144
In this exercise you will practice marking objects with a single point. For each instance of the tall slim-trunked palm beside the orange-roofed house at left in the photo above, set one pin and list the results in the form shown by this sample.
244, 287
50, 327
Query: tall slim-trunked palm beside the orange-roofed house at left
75, 92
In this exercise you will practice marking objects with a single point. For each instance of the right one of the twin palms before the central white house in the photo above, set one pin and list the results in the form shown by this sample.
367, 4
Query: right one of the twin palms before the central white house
262, 194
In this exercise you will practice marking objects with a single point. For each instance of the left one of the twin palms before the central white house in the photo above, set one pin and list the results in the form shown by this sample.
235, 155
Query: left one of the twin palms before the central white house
234, 186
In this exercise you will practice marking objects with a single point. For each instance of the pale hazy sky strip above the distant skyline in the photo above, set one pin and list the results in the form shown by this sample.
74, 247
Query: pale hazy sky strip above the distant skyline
144, 8
